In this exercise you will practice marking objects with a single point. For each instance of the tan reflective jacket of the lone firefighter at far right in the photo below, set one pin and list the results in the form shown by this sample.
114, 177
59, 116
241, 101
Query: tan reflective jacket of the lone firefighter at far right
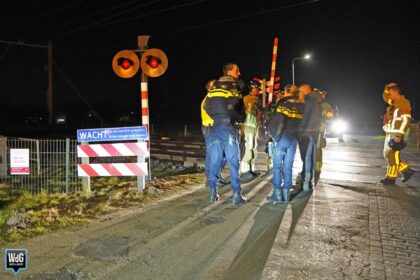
398, 116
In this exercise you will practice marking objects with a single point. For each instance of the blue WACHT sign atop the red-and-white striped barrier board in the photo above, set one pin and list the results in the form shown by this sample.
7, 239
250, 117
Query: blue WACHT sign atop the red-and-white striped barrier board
112, 134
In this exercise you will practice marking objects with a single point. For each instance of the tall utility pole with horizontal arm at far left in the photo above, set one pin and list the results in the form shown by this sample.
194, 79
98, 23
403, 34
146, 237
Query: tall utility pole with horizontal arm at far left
49, 94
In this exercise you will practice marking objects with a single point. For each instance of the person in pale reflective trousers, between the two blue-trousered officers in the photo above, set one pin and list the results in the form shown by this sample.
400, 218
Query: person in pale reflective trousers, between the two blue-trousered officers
250, 130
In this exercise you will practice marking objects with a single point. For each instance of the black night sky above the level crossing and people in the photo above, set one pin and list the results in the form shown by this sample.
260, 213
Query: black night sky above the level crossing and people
356, 46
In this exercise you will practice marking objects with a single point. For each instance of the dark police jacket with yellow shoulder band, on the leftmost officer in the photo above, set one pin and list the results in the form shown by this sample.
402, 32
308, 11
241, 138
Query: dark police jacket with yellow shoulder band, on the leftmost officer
224, 106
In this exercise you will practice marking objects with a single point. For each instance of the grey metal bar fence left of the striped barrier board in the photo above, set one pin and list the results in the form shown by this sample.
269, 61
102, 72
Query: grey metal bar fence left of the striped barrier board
52, 163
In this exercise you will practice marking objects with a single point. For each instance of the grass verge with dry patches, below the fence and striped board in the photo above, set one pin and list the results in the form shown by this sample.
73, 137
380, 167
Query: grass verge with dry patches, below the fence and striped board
25, 215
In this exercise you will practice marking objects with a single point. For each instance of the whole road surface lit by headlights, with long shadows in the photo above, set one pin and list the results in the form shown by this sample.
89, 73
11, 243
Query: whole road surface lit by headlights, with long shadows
348, 227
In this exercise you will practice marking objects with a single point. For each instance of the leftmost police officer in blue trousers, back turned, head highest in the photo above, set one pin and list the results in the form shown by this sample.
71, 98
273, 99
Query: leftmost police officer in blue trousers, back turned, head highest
224, 105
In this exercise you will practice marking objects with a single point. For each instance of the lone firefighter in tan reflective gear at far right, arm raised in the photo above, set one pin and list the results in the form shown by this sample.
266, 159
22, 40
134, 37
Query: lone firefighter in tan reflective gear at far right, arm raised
396, 124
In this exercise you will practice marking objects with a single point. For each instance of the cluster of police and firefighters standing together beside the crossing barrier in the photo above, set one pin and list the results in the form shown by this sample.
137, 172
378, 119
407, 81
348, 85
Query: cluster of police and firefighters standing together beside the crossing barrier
294, 118
